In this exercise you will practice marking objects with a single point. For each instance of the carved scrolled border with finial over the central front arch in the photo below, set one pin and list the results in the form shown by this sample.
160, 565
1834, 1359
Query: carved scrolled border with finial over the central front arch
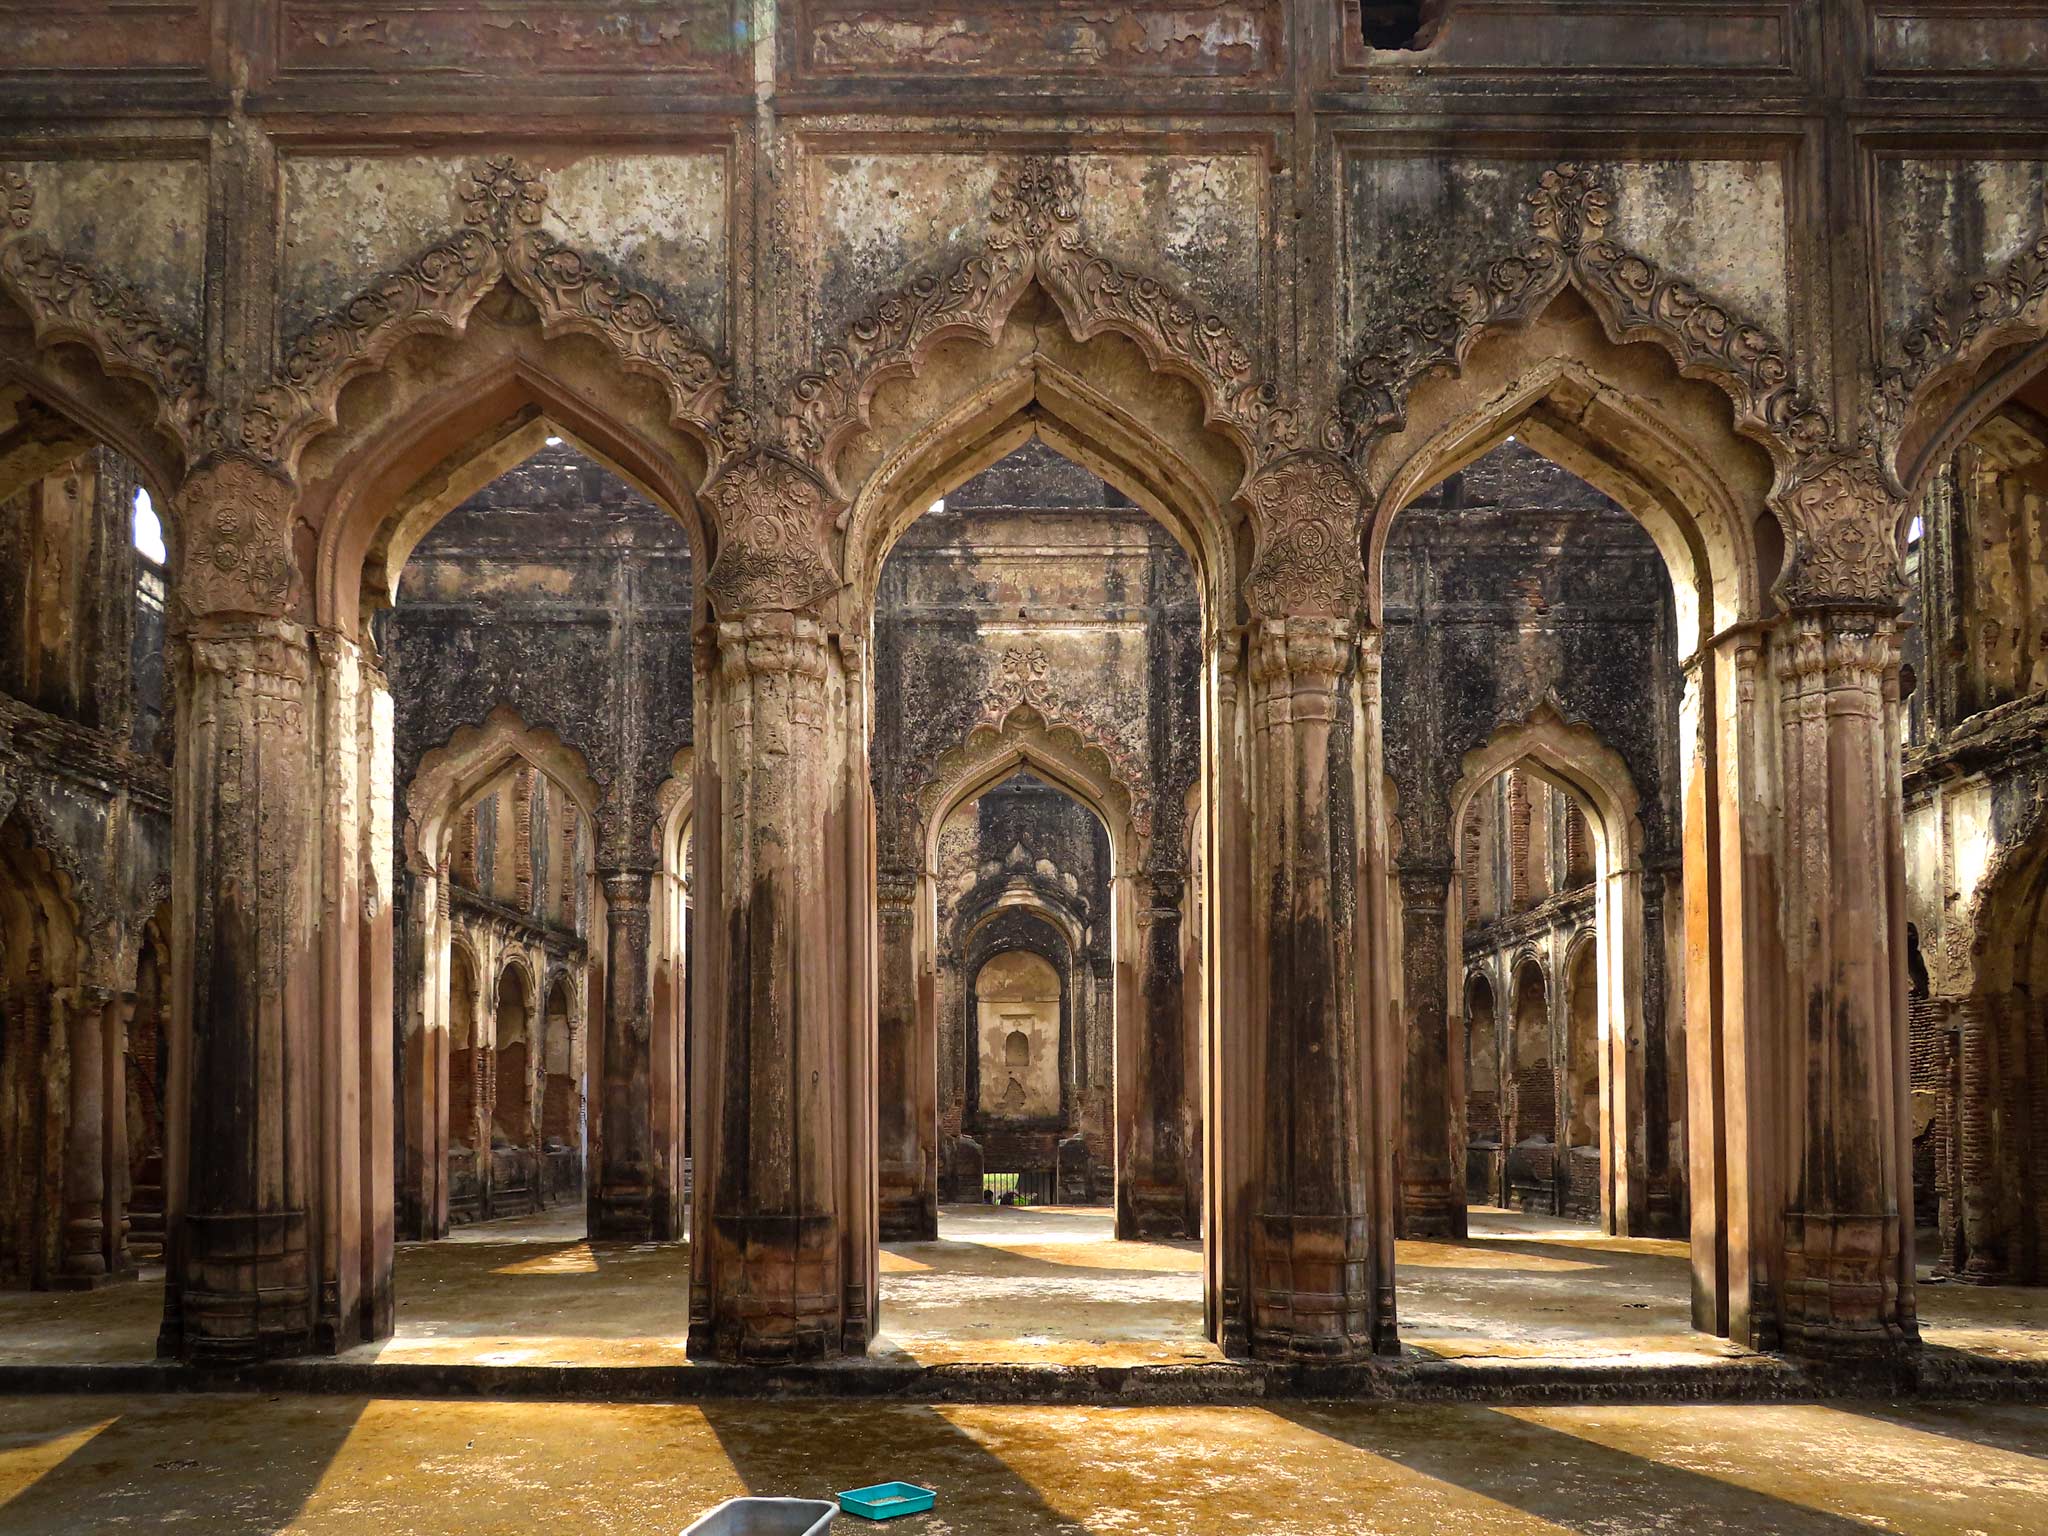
1035, 234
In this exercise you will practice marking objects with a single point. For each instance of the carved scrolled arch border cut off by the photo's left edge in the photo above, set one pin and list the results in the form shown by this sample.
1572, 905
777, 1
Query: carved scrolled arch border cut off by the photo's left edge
71, 302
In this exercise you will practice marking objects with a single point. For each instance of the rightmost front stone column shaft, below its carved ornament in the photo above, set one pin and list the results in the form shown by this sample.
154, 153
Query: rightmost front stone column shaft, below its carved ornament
1846, 1238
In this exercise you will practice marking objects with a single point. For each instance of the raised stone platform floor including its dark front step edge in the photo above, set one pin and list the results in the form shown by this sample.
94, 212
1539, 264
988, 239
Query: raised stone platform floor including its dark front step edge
1043, 1308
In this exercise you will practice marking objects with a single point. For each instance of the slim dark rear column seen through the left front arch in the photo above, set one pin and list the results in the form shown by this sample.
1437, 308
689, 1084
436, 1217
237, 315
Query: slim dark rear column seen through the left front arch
622, 1189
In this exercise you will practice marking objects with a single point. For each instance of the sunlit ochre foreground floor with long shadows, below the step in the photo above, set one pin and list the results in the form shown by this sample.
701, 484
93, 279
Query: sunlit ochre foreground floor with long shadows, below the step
357, 1465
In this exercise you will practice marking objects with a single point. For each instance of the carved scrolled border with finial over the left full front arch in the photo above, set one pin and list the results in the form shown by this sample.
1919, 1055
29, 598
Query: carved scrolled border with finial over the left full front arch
435, 292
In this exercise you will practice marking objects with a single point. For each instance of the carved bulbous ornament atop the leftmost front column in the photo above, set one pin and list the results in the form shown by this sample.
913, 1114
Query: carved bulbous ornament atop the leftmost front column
234, 523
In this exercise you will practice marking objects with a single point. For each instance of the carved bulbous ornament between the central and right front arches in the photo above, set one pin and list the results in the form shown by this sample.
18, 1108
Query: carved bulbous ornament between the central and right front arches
1308, 558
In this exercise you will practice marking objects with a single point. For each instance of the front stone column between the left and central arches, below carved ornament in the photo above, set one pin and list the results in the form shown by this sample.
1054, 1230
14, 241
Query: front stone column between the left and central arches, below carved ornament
771, 1271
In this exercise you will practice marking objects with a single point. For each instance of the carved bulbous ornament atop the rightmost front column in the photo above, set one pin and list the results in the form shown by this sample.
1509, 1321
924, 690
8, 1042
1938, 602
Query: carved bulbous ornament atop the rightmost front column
1840, 521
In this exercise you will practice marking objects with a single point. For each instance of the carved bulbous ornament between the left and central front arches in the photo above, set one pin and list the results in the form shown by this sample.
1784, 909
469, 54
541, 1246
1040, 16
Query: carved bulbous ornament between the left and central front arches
773, 521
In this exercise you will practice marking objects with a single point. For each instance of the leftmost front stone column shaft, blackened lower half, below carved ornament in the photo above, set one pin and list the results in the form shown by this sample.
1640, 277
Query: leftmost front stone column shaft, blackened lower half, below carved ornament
241, 1183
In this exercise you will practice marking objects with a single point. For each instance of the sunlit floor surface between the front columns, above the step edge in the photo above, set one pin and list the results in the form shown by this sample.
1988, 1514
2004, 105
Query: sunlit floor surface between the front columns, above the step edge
1035, 1287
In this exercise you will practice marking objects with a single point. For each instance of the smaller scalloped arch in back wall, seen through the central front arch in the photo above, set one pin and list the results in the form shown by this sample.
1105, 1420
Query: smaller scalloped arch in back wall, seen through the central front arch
1058, 753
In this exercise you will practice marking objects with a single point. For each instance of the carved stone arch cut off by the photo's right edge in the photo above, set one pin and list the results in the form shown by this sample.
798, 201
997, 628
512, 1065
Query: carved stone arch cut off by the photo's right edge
1969, 353
